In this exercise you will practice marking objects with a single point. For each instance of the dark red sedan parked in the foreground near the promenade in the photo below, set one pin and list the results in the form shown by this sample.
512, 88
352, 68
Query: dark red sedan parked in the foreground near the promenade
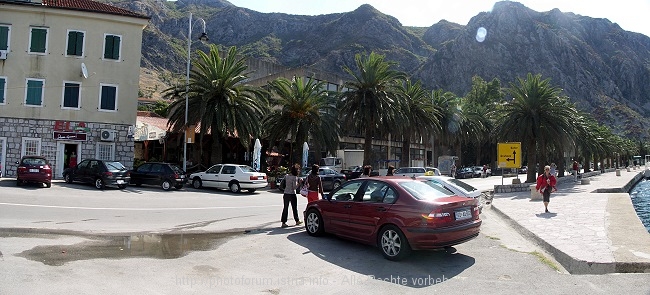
398, 214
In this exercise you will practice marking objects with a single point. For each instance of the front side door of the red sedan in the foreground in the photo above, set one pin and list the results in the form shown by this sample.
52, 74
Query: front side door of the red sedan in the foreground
335, 212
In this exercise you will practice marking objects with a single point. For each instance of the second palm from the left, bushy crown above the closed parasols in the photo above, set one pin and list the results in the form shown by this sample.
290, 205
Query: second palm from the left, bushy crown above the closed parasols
302, 110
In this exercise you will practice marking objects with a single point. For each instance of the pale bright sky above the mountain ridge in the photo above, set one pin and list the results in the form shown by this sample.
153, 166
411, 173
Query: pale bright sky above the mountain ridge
631, 15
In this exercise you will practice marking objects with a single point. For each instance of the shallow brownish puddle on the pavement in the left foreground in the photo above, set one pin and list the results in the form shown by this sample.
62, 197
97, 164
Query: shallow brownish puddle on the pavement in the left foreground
160, 246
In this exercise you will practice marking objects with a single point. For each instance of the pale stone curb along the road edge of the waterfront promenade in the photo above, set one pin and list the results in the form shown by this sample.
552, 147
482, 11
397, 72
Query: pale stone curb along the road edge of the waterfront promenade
572, 265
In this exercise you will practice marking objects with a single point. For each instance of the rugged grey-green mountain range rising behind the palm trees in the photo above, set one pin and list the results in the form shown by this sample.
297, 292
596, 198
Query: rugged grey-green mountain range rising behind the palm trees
604, 69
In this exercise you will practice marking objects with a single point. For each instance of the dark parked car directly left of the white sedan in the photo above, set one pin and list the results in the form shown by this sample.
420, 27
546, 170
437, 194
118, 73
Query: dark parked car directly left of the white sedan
163, 174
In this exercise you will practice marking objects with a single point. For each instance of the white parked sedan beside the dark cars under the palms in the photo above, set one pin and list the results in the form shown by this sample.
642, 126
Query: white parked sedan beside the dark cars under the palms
232, 177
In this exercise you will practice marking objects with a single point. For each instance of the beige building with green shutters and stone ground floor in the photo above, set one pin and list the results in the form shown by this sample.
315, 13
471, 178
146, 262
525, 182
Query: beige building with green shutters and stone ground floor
69, 74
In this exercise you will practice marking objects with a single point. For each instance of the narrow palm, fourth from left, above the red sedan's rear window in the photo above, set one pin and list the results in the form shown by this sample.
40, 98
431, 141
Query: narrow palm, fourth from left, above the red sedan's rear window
419, 116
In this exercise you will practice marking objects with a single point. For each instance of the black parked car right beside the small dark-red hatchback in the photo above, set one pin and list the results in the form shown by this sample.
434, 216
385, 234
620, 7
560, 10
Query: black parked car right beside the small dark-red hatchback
99, 172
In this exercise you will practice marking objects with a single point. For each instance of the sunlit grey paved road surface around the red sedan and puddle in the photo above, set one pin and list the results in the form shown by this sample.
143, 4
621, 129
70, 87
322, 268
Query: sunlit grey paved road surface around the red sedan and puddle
265, 260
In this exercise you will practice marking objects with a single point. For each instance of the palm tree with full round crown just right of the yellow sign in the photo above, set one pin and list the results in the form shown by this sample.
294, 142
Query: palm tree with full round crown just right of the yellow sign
536, 113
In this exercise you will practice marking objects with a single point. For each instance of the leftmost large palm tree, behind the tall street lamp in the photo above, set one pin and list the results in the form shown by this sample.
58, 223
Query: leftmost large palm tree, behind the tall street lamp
219, 100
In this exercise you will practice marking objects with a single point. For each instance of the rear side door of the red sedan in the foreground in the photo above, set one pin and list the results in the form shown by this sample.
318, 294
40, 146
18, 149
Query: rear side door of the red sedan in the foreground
367, 212
